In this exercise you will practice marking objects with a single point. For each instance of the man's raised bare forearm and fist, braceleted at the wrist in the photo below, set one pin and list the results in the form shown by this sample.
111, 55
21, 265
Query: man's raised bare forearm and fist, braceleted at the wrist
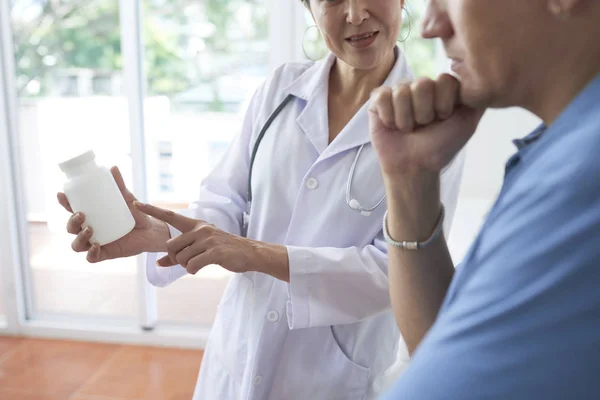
417, 129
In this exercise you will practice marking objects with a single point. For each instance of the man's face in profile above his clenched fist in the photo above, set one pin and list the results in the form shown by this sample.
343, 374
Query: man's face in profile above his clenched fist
497, 48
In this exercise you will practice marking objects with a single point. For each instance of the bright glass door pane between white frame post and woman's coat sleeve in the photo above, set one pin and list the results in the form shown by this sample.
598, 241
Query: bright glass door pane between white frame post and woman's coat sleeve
204, 59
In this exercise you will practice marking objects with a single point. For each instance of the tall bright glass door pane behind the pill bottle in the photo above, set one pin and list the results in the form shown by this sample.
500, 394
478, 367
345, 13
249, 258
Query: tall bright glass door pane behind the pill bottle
69, 77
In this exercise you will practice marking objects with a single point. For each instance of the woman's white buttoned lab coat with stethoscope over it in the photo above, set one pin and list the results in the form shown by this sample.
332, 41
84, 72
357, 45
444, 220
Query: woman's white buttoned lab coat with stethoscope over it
330, 333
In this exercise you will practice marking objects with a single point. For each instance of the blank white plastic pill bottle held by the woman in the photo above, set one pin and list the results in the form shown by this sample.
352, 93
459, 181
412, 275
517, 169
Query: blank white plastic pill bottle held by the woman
92, 190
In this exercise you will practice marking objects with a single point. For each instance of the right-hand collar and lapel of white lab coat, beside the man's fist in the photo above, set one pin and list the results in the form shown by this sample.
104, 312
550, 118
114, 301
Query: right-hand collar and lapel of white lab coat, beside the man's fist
356, 132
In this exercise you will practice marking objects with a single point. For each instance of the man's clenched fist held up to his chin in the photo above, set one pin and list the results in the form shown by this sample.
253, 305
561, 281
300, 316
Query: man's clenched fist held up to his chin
419, 127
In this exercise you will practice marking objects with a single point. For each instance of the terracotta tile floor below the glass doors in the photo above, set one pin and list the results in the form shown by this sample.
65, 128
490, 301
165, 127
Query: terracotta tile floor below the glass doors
39, 369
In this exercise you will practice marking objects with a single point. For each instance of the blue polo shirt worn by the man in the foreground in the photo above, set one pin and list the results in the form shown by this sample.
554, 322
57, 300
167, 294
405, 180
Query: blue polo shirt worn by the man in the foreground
521, 320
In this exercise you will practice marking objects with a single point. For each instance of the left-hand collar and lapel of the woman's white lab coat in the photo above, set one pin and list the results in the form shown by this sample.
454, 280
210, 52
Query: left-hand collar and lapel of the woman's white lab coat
312, 87
